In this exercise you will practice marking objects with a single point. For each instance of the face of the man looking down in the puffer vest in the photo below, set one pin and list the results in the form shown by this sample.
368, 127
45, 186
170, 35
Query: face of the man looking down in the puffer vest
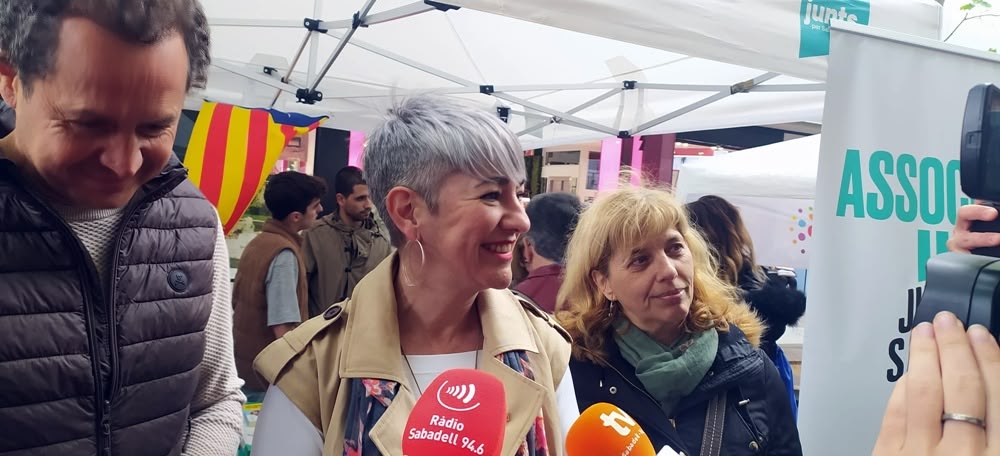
102, 123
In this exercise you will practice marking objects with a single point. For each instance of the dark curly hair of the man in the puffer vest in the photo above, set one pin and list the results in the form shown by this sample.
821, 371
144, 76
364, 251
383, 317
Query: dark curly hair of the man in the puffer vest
29, 30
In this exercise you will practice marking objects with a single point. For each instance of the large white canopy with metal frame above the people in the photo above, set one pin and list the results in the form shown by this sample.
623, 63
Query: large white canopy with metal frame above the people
711, 64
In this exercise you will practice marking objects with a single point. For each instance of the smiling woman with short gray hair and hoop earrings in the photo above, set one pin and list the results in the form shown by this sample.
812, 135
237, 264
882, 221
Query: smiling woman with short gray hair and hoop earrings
445, 178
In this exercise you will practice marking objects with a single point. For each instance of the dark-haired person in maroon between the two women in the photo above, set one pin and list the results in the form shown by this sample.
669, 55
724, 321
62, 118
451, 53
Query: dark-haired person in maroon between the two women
553, 216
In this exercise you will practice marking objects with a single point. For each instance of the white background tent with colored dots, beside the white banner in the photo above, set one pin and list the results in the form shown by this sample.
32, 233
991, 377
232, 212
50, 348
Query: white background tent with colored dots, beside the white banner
774, 186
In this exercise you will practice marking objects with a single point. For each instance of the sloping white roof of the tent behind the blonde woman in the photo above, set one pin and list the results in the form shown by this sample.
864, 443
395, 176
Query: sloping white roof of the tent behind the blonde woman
781, 170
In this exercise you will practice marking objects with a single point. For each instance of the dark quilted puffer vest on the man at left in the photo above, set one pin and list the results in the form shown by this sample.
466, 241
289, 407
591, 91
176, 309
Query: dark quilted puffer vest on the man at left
103, 368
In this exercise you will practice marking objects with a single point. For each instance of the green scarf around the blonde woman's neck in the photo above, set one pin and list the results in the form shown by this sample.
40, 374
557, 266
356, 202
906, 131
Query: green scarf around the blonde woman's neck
668, 373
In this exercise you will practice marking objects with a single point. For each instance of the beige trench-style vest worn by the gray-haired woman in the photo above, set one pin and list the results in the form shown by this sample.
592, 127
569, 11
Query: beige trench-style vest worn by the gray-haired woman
359, 338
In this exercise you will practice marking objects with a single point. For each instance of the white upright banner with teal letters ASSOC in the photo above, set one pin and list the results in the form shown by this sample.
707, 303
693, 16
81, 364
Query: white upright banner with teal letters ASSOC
887, 193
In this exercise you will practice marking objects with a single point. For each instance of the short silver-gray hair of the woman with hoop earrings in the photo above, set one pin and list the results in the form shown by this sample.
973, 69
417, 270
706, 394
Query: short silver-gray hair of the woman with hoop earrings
427, 138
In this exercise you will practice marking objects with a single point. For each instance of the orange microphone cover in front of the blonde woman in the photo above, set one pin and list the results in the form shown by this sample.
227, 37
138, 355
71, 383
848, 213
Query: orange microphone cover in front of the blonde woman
606, 430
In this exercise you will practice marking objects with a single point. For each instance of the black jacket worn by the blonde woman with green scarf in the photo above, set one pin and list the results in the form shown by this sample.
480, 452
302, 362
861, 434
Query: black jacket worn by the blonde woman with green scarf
758, 416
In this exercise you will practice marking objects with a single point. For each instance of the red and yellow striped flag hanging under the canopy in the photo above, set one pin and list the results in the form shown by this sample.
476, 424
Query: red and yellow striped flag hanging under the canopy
233, 149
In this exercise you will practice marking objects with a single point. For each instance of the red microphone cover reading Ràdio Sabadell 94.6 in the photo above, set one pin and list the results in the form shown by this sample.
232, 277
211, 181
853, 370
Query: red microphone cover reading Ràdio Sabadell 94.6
462, 413
